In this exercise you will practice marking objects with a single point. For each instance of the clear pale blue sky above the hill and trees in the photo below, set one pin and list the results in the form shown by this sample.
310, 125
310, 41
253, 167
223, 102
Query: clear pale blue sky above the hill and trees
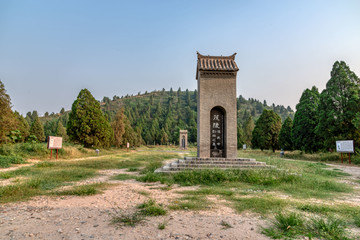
50, 50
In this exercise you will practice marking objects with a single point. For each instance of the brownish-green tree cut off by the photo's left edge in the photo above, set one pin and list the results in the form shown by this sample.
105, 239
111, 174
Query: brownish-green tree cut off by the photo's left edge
7, 119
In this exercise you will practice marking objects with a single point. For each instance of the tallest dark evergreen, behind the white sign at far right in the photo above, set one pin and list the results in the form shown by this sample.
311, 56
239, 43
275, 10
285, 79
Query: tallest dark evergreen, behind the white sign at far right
339, 104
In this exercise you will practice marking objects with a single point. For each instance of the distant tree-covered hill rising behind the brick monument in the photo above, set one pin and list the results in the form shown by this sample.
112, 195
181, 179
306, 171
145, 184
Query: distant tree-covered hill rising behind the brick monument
159, 115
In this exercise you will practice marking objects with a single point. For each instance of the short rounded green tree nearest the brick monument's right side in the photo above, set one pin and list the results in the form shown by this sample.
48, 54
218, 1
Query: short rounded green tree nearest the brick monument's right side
266, 131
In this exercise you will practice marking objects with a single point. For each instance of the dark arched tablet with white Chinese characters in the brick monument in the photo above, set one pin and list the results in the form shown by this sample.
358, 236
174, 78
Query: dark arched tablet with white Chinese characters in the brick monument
217, 146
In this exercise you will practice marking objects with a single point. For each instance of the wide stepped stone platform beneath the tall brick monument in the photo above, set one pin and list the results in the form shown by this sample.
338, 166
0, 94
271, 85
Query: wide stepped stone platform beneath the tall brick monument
195, 163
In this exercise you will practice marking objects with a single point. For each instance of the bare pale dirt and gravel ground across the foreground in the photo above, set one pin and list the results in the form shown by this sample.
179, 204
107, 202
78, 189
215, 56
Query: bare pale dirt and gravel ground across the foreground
89, 217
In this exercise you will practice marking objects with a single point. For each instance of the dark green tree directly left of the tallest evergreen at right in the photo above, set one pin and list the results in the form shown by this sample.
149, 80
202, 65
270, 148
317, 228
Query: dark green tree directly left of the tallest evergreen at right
305, 121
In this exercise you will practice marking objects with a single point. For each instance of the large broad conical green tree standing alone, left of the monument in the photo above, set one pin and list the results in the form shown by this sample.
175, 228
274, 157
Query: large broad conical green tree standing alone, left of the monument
87, 124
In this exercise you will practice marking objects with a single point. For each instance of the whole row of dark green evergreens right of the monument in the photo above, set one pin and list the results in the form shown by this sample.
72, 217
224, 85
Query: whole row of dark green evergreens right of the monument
320, 118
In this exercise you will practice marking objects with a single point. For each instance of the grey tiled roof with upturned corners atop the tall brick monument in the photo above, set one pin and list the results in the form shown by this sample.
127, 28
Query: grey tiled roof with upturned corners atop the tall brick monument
216, 64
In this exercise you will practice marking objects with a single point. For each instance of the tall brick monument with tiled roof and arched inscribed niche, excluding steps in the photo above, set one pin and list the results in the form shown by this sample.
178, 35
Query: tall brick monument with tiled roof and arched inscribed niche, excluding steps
216, 106
